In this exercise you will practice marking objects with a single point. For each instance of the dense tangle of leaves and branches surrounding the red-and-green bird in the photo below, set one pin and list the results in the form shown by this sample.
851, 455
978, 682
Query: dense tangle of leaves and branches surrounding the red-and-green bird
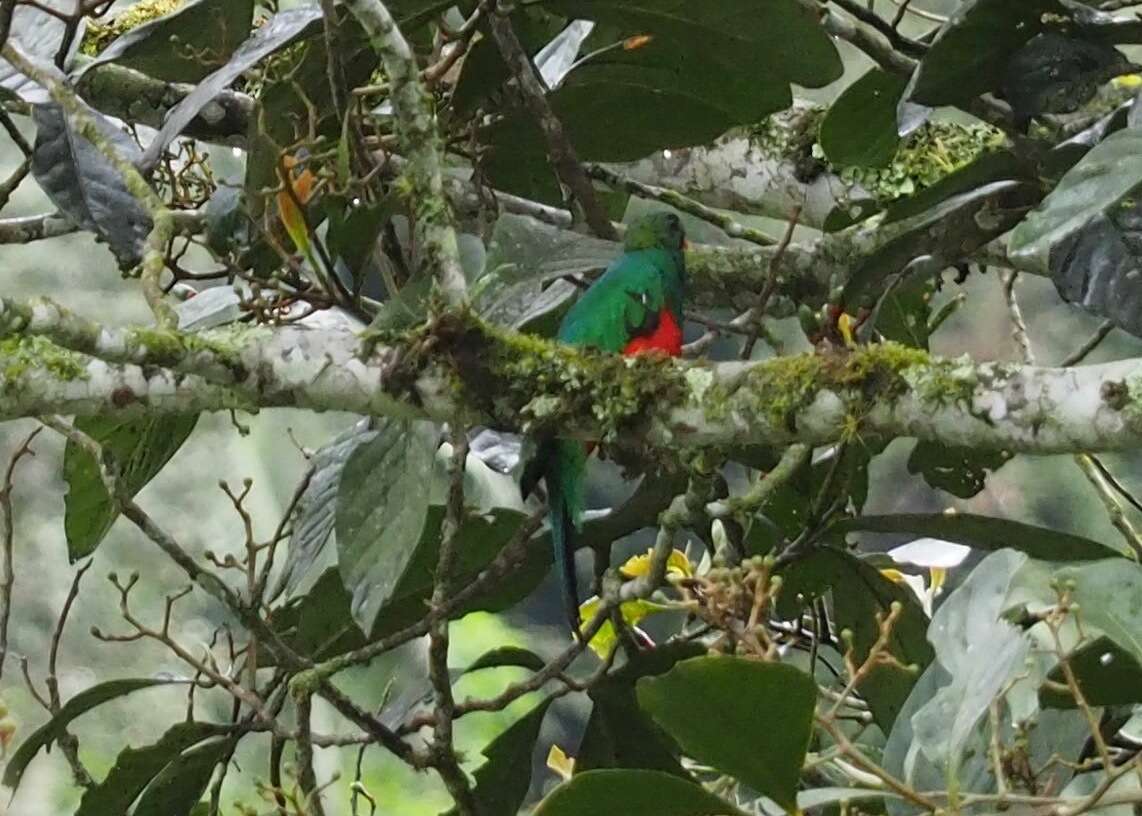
388, 208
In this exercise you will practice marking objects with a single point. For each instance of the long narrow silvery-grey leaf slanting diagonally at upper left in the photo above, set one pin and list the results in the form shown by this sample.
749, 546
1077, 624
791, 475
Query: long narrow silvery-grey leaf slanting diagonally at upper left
278, 33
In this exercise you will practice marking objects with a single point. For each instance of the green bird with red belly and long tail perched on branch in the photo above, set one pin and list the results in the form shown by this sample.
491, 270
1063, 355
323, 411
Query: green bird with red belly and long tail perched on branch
636, 308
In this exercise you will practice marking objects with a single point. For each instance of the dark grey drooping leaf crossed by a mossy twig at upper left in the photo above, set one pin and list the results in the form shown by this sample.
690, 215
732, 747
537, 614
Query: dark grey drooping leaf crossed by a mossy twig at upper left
85, 185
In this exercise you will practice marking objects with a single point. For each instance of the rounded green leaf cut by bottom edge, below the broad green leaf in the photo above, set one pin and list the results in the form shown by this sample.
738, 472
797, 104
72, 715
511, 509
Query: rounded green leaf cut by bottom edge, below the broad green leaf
633, 794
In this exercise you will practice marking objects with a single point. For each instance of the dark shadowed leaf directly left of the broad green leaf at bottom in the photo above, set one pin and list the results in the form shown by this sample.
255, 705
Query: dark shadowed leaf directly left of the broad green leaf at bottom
620, 734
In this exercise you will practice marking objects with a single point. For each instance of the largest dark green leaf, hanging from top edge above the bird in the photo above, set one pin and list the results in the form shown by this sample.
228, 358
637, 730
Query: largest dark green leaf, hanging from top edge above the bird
706, 69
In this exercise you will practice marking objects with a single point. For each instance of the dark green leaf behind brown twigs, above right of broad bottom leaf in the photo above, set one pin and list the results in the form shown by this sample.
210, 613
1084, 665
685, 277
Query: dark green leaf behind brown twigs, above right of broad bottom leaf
860, 595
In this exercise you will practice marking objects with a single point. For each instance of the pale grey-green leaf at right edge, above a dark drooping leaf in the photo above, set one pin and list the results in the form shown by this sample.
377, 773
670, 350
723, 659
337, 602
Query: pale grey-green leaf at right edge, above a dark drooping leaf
1103, 179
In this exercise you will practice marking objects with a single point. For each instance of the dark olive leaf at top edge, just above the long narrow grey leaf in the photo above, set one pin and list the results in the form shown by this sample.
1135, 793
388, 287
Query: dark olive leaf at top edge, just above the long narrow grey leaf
186, 45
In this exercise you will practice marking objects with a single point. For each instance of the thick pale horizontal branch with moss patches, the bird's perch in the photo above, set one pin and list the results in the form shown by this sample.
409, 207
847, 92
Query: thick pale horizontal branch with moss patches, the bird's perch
524, 384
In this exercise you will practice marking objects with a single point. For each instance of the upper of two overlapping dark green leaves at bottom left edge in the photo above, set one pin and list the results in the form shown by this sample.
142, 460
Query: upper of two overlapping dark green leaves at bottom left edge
135, 767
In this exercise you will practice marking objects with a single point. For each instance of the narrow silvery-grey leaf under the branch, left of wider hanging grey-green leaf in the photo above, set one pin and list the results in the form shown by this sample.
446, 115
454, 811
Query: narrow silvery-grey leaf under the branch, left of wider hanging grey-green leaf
317, 508
